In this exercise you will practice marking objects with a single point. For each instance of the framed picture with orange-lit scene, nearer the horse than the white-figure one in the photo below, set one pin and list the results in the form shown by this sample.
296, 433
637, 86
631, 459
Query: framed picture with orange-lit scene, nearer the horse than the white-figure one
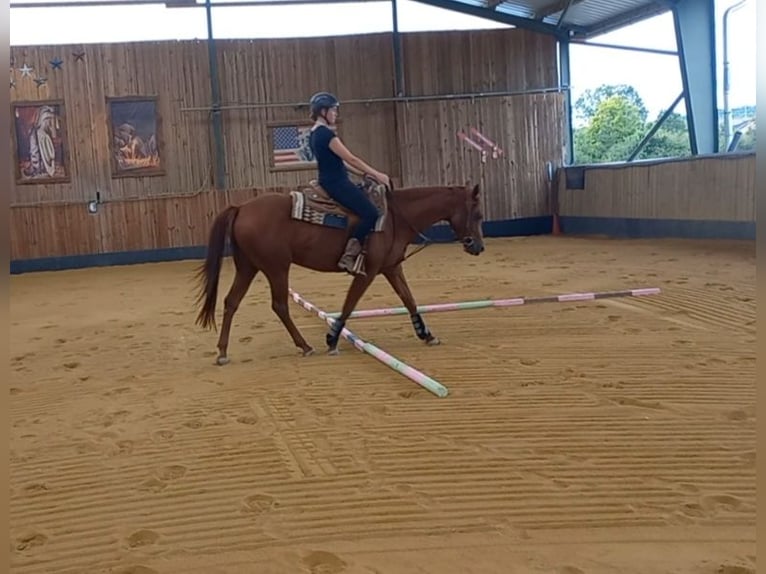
135, 136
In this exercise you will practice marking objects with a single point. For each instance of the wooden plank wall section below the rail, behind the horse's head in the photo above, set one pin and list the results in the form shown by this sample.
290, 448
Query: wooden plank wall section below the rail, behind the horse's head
526, 128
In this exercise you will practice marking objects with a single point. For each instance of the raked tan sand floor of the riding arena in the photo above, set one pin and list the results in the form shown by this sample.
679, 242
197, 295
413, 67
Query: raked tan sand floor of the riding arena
613, 436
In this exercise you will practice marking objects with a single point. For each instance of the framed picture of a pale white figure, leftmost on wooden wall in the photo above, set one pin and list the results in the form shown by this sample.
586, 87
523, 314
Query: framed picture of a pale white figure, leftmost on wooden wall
41, 153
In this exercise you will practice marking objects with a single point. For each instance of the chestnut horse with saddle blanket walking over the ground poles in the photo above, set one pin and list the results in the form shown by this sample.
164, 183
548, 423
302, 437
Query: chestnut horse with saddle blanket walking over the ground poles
305, 227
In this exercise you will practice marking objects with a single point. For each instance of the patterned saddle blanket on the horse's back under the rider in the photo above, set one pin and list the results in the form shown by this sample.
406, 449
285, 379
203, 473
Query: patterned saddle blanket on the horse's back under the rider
314, 205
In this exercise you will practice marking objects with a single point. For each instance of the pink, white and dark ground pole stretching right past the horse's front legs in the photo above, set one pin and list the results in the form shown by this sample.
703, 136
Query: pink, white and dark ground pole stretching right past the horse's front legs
516, 301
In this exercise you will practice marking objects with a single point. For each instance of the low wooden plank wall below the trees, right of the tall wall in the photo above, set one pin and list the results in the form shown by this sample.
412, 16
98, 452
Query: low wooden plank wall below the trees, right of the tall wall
713, 188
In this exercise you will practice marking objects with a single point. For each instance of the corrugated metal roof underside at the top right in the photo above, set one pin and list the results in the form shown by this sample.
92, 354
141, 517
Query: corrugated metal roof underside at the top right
578, 19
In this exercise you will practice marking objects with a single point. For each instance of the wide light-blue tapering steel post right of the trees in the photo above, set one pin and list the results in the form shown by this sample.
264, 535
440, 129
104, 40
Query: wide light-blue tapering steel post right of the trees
695, 37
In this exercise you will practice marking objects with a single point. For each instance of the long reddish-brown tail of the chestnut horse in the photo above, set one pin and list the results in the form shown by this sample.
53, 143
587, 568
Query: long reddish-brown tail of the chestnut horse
210, 270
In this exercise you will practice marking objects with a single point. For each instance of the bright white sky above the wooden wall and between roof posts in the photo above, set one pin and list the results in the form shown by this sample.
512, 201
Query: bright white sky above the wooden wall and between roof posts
656, 77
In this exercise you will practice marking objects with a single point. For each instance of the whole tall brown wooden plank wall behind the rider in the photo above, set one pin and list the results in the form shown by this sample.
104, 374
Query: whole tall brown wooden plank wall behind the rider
414, 142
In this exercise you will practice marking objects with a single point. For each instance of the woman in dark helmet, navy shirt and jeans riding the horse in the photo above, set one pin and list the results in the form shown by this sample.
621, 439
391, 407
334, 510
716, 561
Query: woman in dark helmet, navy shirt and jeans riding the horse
334, 160
